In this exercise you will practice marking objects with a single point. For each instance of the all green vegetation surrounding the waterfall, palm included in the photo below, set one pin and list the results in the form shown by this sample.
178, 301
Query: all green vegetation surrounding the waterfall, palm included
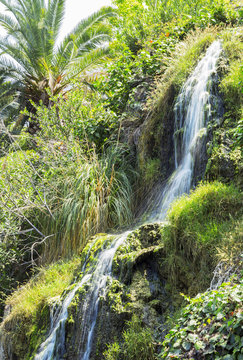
75, 176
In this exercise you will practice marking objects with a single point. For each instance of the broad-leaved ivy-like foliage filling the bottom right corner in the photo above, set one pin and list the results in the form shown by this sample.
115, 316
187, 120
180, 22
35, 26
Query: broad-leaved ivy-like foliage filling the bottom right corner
210, 327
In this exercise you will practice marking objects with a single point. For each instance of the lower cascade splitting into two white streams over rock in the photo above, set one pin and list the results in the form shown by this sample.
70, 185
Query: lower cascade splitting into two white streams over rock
54, 346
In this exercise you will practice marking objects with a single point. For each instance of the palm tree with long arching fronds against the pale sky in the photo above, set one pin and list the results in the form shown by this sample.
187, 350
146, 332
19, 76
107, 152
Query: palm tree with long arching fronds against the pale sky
37, 68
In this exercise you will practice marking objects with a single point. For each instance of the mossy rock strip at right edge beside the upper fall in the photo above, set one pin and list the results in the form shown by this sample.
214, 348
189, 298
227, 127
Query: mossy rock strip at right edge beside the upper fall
225, 157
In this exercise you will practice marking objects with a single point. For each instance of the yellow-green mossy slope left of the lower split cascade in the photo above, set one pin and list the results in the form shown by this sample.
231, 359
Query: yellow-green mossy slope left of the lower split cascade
27, 321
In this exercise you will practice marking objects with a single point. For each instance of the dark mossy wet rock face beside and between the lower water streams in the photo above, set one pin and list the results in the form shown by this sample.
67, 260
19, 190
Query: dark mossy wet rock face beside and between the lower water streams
136, 288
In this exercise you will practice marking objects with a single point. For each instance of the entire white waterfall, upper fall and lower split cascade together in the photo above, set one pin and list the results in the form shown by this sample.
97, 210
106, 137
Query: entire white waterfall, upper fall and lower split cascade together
192, 112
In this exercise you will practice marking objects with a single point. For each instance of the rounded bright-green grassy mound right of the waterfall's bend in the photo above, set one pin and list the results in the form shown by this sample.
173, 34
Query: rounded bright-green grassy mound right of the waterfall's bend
197, 227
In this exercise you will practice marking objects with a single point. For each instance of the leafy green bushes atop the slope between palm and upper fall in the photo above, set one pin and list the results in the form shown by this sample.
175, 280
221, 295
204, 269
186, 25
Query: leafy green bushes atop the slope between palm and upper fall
145, 40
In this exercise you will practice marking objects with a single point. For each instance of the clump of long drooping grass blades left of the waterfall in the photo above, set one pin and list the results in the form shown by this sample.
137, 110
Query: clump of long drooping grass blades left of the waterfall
92, 194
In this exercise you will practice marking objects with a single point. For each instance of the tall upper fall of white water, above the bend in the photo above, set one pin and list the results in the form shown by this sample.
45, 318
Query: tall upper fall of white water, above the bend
192, 112
